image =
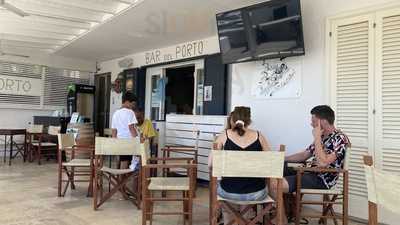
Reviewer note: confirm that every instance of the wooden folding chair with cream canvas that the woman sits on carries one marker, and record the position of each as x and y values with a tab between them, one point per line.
256	164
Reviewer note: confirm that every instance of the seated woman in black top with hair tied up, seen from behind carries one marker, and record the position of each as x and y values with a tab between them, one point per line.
241	138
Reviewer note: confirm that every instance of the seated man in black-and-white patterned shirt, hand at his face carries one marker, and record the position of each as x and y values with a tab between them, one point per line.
327	150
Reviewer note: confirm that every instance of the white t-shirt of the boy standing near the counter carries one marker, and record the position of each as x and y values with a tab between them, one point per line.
122	118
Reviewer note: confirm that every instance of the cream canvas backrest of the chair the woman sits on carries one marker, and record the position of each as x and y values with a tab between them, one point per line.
262	164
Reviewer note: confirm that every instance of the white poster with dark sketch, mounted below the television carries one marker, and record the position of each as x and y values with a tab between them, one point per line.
276	79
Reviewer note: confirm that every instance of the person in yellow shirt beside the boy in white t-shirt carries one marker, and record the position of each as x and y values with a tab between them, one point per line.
146	129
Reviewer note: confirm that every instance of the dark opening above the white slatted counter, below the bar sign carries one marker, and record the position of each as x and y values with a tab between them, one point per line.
179	90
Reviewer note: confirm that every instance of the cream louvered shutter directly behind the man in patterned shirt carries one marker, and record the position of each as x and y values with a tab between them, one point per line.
351	73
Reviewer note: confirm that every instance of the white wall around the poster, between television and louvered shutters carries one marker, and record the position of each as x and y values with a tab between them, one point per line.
287	121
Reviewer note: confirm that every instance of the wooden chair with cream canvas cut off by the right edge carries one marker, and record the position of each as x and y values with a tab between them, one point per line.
383	190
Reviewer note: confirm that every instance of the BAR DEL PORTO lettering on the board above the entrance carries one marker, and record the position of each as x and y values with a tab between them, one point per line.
187	50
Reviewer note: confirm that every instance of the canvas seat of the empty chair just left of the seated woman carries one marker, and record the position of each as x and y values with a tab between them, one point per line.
169	183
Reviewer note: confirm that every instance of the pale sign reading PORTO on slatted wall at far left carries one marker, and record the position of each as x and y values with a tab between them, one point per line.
10	85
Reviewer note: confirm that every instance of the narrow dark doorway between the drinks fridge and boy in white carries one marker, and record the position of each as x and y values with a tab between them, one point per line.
102	102
